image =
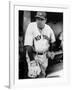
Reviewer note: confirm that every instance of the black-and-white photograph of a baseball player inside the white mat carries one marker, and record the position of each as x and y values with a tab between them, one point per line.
40	44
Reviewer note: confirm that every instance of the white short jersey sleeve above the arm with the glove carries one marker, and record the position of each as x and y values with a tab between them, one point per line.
28	36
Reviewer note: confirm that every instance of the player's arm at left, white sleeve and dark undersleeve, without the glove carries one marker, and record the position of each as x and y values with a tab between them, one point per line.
29	42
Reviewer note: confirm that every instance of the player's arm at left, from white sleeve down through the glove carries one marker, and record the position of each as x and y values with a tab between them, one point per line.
33	68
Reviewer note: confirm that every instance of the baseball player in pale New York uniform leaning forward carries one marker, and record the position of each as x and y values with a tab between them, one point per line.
37	38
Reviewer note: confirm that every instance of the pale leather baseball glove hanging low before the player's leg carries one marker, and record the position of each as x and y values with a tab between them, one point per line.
33	69
